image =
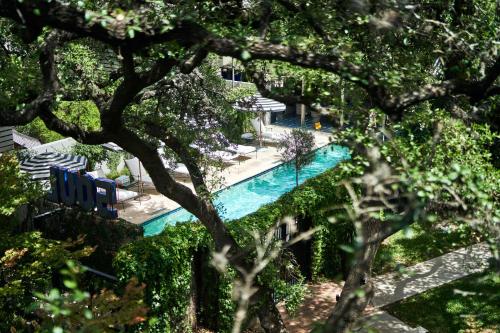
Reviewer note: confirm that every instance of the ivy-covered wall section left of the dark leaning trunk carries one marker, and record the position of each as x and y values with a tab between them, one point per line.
166	264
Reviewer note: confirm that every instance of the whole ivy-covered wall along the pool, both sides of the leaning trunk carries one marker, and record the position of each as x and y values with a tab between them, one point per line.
167	262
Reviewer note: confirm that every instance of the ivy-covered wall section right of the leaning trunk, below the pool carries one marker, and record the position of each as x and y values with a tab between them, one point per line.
319	199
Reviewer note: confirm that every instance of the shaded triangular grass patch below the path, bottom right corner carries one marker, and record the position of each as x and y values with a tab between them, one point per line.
468	305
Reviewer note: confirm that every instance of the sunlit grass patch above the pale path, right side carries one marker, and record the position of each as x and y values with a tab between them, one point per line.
417	244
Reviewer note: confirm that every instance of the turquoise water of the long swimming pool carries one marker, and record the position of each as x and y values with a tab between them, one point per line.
249	195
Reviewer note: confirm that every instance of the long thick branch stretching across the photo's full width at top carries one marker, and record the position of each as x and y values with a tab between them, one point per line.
188	34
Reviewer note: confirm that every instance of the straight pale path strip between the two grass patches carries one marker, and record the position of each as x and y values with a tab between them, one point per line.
393	287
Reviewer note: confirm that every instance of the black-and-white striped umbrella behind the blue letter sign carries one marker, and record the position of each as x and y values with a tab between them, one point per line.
38	166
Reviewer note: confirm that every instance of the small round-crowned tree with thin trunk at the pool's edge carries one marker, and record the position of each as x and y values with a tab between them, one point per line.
296	146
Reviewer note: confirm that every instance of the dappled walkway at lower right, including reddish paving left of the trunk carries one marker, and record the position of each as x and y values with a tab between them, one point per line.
390	288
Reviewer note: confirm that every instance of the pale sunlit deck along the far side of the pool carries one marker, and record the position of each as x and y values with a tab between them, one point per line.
153	203
